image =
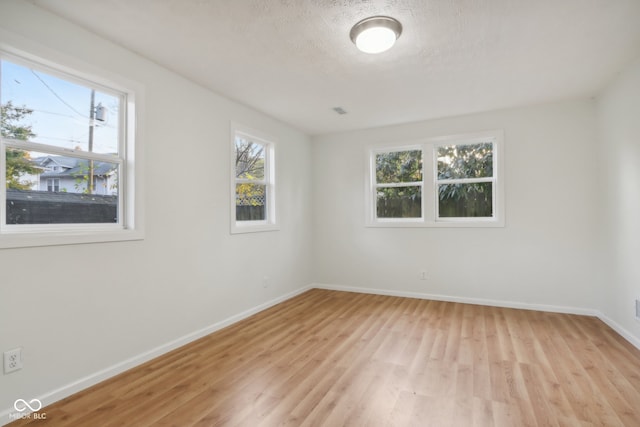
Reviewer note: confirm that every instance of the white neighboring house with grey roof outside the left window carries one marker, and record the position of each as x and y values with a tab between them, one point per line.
68	174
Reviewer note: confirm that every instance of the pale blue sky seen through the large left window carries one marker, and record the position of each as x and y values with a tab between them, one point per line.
61	108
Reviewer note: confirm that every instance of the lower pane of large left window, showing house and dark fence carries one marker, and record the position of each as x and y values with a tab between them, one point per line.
39	194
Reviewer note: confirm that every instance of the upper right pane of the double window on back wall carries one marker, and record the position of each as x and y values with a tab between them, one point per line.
465	161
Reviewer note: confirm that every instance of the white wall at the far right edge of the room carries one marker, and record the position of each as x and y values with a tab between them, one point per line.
619	120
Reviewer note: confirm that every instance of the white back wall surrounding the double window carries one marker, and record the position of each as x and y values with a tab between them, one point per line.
546	255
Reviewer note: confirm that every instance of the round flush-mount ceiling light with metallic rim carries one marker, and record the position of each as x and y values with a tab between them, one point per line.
376	34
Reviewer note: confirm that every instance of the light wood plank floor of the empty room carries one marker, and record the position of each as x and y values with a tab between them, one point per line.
328	358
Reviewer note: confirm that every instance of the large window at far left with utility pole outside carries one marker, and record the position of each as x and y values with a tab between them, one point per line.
67	157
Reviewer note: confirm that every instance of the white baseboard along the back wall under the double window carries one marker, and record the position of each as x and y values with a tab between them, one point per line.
465	300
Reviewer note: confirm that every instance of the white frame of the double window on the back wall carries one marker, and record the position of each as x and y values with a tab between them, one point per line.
430	182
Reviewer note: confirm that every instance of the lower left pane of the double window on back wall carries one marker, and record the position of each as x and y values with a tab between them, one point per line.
399	202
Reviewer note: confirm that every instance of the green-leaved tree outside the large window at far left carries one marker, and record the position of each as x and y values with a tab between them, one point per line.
17	161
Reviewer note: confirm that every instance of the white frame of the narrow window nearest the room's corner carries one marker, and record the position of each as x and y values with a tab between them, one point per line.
270	222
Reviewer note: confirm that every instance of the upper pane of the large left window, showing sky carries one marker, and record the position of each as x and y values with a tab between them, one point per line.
43	108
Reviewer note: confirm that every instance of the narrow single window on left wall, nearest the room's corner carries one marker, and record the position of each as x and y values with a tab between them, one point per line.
253	182
